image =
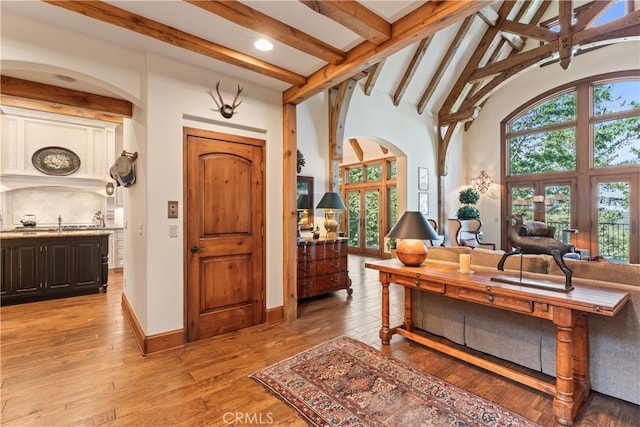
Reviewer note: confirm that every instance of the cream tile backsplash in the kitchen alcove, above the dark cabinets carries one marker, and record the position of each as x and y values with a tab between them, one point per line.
46	203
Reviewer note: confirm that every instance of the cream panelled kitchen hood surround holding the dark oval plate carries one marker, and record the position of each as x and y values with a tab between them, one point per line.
40	148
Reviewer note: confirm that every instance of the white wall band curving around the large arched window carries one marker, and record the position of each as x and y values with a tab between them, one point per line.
482	141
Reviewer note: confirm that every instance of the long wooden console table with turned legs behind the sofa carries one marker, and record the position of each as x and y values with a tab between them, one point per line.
568	311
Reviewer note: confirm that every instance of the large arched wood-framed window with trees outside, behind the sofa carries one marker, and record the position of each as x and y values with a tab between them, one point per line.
572	159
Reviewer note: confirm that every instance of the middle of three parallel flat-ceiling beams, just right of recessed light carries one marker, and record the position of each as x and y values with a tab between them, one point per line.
257	21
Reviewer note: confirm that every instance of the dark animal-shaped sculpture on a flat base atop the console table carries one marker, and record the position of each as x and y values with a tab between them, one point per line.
535	237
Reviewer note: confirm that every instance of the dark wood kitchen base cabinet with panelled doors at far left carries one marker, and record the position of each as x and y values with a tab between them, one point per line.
44	267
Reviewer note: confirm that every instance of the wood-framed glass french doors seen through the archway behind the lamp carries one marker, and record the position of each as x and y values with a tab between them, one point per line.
363	221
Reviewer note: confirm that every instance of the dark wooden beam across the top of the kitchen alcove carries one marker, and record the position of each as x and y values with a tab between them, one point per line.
55	97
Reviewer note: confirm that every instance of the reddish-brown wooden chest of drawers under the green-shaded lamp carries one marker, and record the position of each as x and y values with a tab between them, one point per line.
322	267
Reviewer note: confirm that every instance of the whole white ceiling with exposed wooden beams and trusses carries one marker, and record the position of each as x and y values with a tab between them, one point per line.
446	57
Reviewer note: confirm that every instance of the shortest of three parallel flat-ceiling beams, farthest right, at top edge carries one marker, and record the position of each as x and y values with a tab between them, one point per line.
354	16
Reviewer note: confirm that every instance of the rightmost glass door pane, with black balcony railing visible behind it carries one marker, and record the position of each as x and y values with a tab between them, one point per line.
615	213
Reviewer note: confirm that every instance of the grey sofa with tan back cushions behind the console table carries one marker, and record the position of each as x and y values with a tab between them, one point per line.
614	342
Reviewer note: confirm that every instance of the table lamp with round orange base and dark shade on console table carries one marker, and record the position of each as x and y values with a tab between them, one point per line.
411	230
